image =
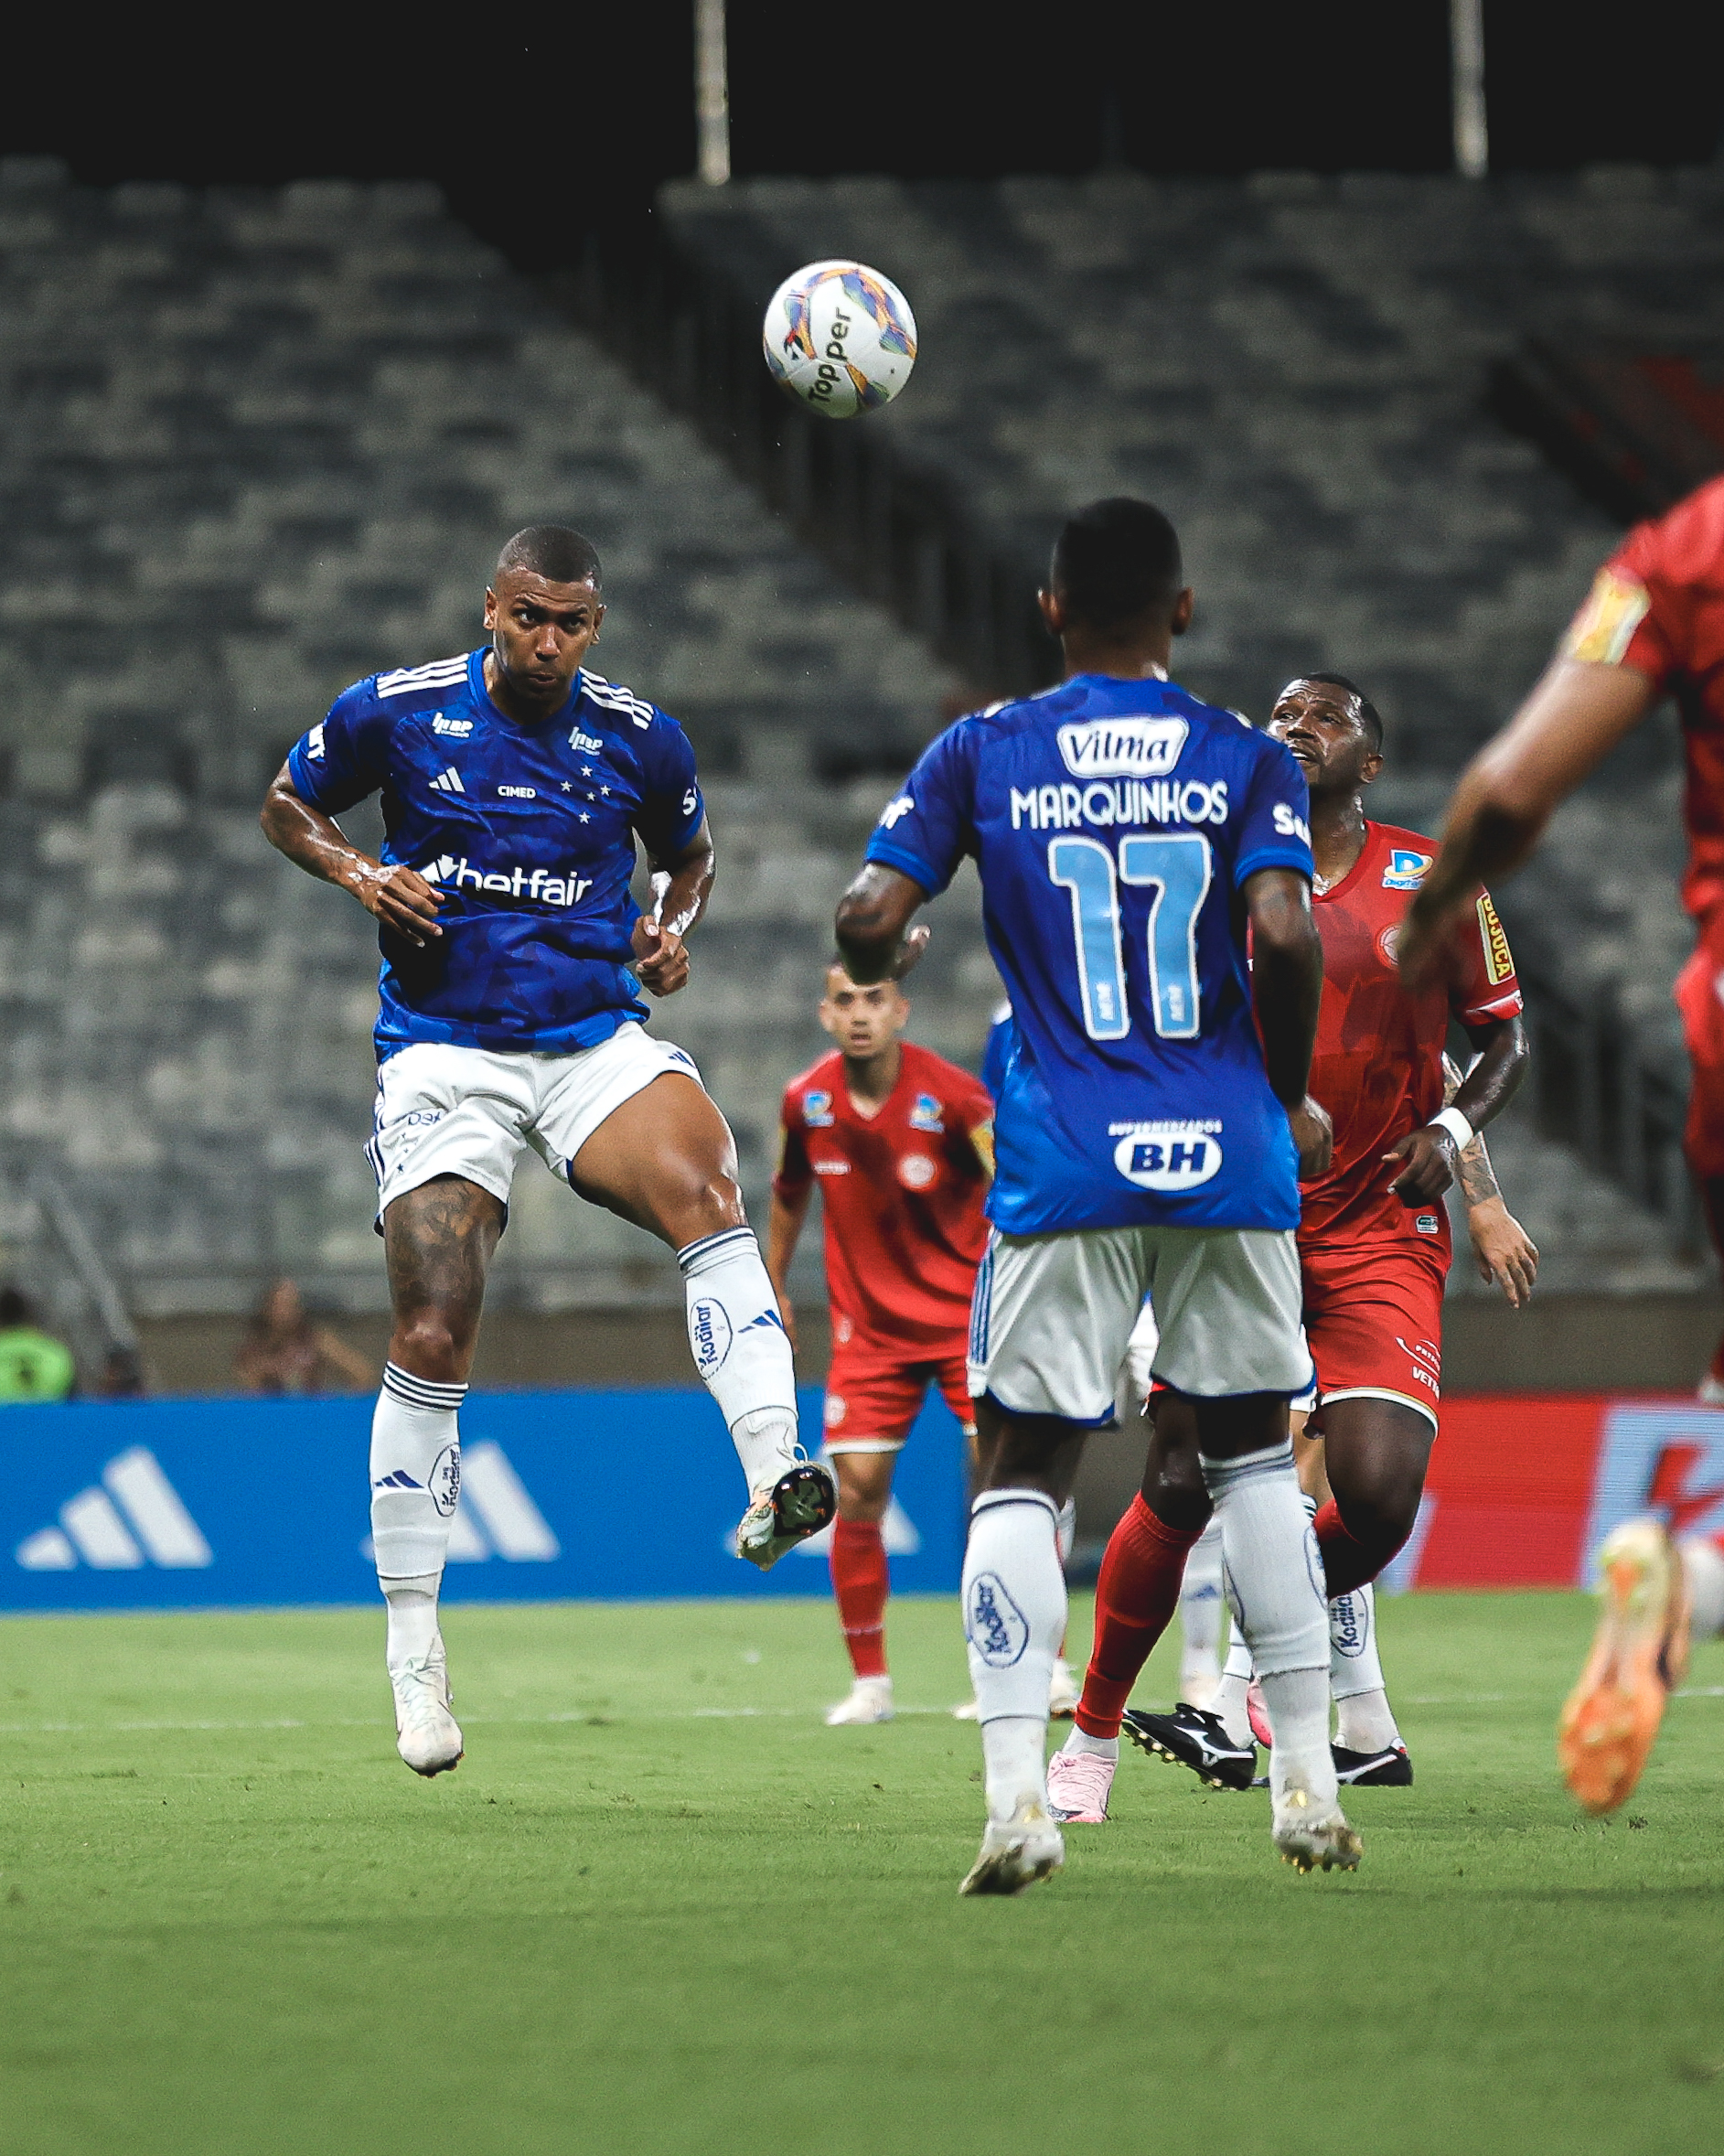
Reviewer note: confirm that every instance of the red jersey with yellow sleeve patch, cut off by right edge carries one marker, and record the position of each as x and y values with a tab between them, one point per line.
1658	605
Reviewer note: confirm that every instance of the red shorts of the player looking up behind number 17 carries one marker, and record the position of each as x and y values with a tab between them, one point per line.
1374	1321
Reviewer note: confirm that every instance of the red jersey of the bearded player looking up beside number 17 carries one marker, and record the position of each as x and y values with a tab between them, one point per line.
1378	1064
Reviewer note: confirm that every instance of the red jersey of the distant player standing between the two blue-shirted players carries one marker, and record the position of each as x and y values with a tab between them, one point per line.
904	1196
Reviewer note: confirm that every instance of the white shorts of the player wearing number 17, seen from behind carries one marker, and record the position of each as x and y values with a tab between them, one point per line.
1055	1314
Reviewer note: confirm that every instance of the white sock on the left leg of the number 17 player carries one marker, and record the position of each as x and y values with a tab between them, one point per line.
1014	1620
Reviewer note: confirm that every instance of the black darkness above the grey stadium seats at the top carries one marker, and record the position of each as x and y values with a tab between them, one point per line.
538	126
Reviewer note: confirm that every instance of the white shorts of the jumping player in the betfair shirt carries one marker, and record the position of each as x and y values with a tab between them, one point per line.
471	1111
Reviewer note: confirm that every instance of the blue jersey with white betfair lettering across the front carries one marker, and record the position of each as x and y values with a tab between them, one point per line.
527	831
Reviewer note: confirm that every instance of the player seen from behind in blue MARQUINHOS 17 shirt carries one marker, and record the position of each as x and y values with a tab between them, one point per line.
1152	1129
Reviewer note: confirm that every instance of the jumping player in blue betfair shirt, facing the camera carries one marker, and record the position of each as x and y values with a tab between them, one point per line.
516	784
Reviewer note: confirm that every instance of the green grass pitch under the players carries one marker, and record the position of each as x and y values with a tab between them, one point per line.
663	1909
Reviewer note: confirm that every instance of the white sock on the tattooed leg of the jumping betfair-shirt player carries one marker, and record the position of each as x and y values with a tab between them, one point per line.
415	1489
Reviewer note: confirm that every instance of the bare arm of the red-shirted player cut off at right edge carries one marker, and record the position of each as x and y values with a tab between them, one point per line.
1579	713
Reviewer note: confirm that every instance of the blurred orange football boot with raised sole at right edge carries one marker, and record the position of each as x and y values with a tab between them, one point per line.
1639	1659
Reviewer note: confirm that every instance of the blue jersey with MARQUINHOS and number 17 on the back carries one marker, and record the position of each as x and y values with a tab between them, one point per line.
1113	825
